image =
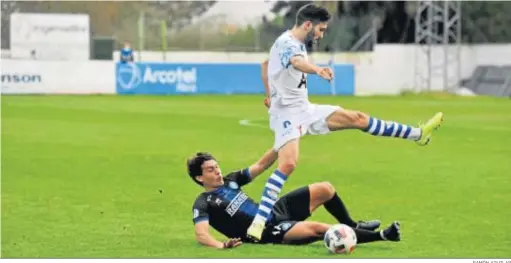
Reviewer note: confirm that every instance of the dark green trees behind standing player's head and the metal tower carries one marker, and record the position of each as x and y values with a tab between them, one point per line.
482	21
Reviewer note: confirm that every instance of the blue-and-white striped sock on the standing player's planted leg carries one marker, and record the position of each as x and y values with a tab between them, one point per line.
270	195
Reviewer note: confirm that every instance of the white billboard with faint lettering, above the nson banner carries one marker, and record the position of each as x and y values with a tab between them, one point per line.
50	36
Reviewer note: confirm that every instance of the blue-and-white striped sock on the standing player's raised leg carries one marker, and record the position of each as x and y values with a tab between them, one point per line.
392	129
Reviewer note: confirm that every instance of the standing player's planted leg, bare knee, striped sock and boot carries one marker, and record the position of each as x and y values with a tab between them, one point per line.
288	156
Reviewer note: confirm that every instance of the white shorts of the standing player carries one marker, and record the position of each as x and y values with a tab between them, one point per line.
292	126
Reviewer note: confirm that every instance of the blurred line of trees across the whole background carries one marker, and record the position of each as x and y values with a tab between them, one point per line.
482	22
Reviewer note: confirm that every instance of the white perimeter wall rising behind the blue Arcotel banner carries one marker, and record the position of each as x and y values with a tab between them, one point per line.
388	70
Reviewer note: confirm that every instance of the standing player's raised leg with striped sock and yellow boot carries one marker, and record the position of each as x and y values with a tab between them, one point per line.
347	119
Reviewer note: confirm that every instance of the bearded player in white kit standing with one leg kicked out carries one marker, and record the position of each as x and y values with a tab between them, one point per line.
293	116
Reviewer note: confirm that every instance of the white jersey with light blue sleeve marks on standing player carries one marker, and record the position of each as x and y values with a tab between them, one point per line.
288	86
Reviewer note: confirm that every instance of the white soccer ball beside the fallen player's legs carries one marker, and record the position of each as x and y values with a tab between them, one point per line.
340	239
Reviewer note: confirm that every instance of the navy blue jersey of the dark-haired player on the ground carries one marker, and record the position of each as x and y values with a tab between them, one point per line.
229	210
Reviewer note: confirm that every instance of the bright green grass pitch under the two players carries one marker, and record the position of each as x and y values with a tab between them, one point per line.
104	176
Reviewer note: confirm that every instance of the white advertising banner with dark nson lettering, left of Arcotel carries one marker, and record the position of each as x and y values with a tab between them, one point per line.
57	77
